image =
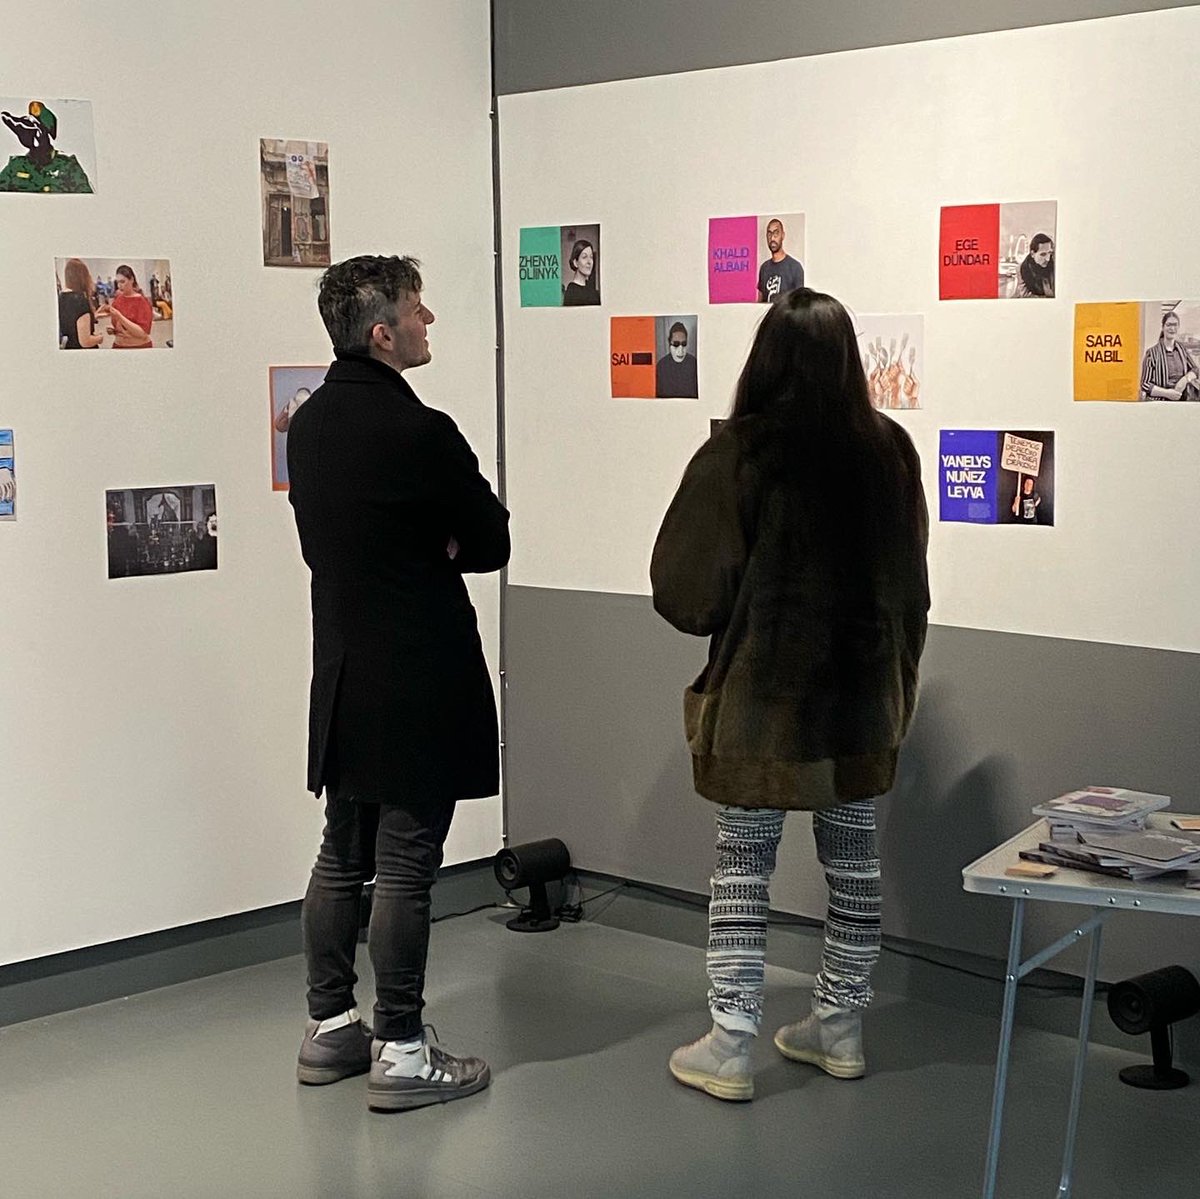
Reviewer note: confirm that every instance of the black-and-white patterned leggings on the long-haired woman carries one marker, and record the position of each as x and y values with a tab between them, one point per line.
747	841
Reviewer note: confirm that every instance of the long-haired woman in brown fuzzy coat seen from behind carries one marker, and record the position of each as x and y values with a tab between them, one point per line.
797	544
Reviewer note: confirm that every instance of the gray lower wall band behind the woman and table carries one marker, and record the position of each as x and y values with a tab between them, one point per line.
596	756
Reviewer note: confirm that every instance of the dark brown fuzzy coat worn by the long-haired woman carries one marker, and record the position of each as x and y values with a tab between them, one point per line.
812	584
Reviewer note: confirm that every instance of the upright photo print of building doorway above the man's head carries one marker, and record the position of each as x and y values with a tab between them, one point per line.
296	202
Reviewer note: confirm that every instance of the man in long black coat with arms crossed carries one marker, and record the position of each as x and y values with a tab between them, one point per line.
392	512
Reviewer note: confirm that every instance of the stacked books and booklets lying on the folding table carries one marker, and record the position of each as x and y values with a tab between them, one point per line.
1105	830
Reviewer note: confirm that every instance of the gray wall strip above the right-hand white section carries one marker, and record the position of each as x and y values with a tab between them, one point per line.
559	44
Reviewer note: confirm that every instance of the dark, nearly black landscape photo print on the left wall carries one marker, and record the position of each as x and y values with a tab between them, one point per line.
161	531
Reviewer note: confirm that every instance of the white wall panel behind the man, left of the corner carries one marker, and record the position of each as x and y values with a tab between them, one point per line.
154	729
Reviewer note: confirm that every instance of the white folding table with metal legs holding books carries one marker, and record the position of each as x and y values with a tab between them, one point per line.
1105	895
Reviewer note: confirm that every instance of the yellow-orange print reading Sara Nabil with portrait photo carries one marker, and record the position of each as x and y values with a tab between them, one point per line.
1138	352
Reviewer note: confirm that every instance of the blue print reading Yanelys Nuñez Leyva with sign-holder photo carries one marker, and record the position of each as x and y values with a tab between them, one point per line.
997	478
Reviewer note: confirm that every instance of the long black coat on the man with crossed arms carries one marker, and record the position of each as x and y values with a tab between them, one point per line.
401	706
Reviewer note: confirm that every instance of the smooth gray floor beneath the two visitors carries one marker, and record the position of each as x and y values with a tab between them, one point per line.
190	1092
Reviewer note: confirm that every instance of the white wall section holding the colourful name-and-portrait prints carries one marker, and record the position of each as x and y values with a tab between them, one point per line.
869	146
